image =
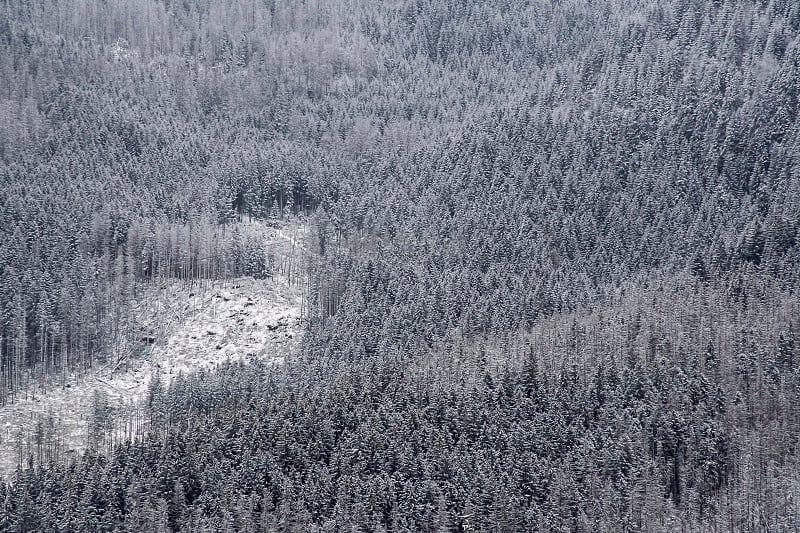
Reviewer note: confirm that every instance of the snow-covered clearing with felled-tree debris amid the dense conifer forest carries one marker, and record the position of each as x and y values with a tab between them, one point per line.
178	328
